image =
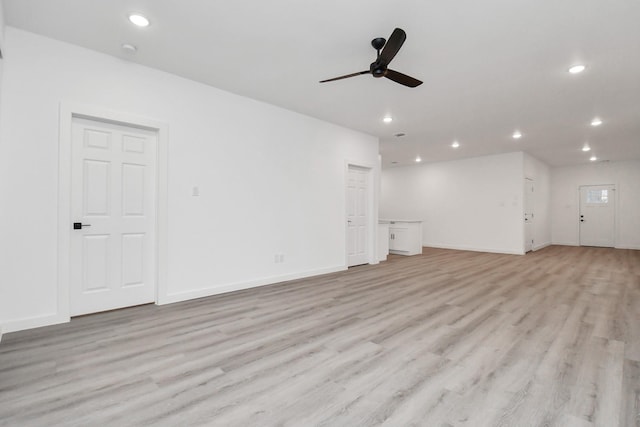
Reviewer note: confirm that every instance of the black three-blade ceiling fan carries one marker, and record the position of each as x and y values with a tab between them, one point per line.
387	50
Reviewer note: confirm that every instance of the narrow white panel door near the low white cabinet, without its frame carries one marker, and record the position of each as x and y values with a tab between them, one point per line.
357	216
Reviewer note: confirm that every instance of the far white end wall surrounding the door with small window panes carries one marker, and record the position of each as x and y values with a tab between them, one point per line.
565	200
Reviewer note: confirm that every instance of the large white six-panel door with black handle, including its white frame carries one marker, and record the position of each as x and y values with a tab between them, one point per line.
112	210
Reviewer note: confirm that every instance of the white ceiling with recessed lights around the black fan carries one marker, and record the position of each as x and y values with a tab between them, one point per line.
489	67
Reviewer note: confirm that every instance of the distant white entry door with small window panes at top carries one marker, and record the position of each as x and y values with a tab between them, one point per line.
597	215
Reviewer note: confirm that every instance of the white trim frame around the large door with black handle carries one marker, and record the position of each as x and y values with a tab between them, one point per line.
69	111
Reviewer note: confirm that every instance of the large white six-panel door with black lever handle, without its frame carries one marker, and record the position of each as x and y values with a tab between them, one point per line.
113	206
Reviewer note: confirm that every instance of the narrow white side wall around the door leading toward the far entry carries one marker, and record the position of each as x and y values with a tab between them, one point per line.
540	173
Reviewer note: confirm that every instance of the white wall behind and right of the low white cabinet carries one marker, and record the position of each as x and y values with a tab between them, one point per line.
472	204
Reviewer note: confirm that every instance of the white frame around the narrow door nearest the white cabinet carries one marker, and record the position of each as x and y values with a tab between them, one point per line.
372	205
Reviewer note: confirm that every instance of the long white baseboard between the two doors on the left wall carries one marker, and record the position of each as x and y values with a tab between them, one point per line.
238	286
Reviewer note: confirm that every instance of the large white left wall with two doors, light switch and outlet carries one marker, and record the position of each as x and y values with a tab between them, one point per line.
271	181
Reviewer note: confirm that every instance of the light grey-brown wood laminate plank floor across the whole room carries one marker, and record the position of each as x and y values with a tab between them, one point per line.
447	338
